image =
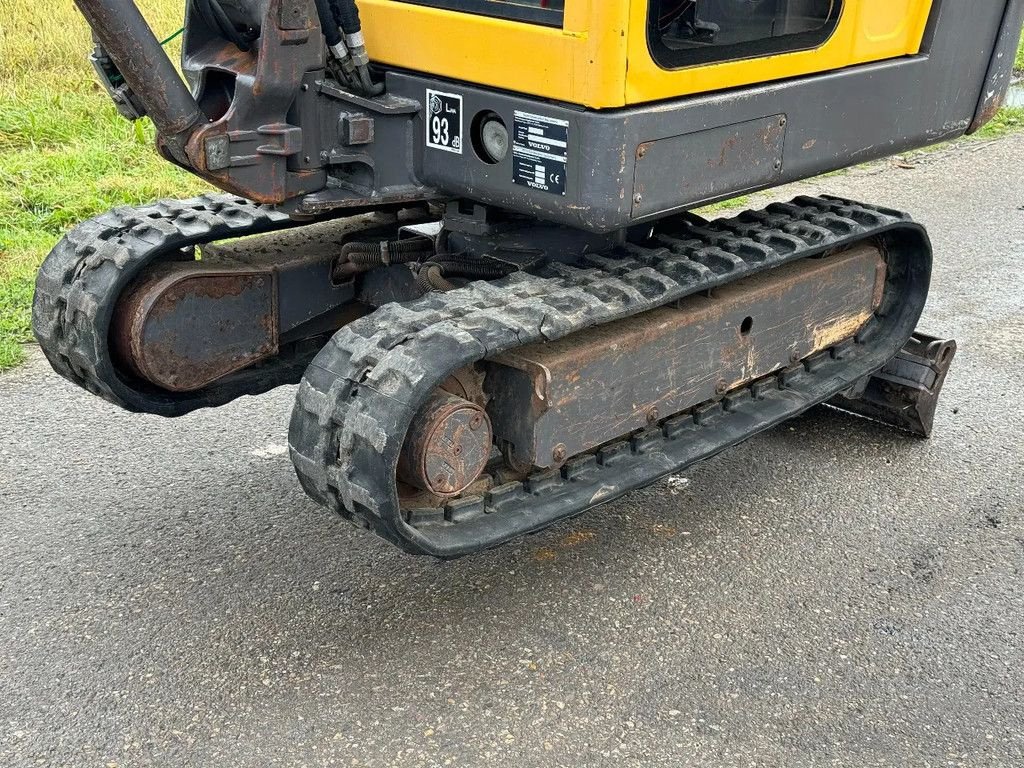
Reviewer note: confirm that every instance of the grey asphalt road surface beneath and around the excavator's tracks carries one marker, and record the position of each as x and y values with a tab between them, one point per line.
828	593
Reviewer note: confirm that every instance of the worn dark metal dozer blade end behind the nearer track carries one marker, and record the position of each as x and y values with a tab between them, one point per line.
906	393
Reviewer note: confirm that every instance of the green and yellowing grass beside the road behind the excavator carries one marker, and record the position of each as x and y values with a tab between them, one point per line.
66	155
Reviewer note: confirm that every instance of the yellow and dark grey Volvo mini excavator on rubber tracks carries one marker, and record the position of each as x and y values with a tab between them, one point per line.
467	231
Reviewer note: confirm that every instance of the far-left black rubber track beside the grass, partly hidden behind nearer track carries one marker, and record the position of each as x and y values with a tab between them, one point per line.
81	280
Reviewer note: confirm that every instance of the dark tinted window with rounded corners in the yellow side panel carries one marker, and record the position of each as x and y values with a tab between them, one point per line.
685	33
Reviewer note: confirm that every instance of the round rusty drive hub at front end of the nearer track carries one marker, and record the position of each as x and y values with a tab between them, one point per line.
448	446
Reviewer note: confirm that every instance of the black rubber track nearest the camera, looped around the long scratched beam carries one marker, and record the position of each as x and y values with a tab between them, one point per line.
361	393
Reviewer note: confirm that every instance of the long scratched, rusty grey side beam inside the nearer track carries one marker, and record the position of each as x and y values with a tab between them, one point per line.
562	399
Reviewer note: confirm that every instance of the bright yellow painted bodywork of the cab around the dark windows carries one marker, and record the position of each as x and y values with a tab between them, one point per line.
601	58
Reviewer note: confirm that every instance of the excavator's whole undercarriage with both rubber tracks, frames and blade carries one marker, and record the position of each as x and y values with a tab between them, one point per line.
467	379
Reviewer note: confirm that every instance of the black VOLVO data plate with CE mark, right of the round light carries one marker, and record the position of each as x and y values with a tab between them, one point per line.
540	152
